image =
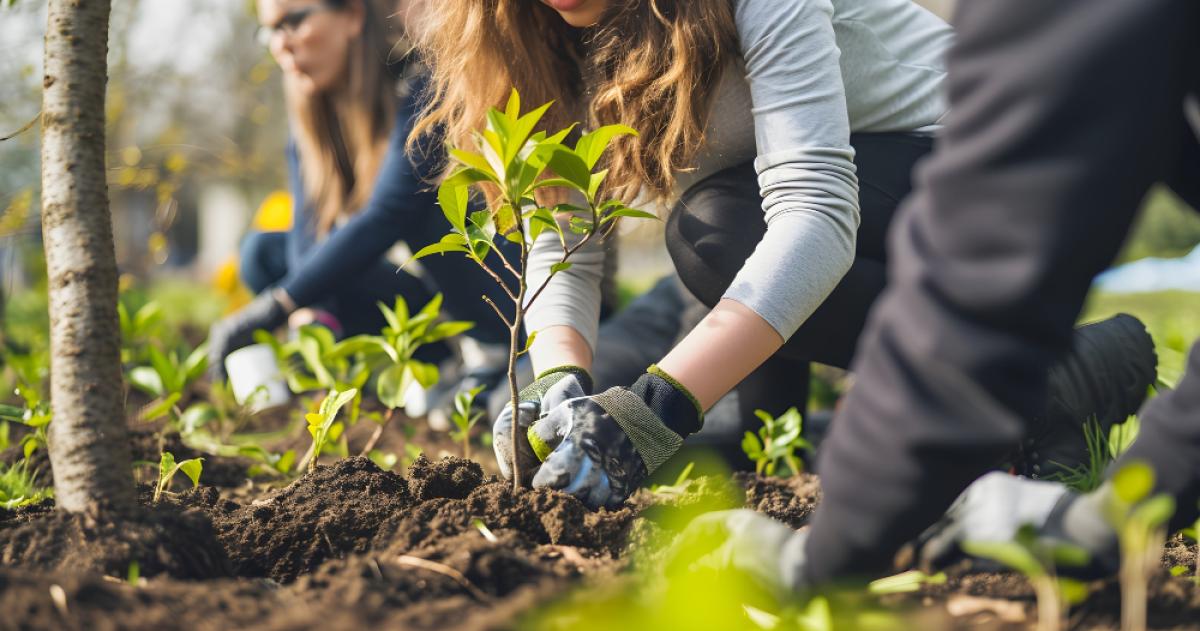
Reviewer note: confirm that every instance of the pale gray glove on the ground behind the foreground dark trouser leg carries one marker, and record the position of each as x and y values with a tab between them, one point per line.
995	507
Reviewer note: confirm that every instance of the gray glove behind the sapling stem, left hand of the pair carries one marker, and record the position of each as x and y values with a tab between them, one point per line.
550	389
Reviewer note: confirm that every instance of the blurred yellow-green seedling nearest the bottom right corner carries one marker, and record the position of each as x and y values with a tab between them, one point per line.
1141	522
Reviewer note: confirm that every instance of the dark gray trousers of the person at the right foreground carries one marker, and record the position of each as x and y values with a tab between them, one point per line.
1063	116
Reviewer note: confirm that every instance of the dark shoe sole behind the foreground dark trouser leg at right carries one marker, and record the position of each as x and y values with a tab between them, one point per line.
1106	378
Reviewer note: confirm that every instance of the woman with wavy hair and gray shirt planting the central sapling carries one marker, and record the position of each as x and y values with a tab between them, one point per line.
782	136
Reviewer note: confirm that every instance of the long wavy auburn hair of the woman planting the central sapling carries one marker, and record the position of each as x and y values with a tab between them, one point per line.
649	64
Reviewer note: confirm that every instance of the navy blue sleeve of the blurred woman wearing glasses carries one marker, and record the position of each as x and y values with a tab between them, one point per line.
401	201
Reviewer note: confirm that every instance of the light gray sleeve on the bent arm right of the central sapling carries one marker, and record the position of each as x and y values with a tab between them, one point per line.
806	164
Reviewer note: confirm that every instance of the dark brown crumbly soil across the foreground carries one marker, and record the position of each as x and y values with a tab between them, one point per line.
445	546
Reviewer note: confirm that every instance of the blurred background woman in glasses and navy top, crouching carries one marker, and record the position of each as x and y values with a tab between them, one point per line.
352	95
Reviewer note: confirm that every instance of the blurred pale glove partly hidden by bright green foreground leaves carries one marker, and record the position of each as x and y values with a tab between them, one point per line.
747	543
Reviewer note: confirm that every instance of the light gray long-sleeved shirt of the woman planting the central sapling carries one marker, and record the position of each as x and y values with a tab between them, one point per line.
811	73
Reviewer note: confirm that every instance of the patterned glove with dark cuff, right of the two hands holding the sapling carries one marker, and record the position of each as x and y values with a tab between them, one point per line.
602	448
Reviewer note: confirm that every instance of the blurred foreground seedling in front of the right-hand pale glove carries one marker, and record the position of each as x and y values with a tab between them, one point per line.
1039	560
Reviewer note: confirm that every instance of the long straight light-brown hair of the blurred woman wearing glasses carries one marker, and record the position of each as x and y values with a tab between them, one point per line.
343	135
